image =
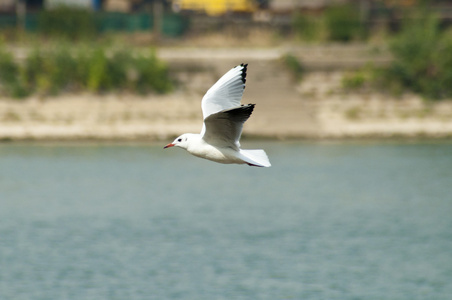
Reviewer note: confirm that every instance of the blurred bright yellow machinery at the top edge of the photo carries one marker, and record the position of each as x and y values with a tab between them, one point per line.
215	7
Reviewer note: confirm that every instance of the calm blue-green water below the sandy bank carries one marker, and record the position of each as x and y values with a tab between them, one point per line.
327	221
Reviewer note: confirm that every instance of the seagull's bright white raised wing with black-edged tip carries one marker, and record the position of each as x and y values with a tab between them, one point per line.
226	93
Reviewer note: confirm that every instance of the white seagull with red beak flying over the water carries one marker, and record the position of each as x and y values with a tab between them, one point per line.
224	116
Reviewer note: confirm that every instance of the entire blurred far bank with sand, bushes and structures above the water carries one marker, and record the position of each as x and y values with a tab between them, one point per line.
335	68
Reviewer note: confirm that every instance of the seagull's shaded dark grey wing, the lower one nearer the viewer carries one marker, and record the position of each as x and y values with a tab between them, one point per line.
224	128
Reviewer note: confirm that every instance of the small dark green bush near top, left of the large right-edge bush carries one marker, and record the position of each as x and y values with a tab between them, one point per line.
343	23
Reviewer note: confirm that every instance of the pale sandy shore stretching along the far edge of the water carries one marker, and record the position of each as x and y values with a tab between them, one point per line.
317	107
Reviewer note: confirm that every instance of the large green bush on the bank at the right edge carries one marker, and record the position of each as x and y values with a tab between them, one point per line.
422	57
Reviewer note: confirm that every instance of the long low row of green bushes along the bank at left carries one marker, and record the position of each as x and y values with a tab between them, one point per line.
51	71
